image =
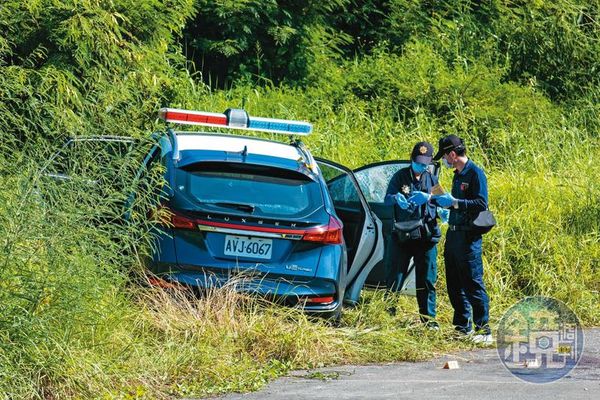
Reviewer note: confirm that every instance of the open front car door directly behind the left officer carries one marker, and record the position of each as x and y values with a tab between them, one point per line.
373	180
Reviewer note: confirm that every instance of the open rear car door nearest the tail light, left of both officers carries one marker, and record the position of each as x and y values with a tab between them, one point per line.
362	228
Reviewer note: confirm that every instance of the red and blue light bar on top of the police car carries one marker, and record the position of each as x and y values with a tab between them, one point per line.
235	119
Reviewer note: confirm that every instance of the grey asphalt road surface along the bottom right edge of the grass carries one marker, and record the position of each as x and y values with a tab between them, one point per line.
481	375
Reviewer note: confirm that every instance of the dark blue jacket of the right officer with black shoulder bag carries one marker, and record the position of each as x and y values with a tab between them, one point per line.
469	186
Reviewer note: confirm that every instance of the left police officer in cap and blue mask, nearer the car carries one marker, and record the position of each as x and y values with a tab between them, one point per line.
409	191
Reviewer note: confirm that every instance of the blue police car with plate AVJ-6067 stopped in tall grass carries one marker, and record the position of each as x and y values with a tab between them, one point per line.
261	214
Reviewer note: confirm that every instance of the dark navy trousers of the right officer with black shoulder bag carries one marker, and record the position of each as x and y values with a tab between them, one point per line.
464	279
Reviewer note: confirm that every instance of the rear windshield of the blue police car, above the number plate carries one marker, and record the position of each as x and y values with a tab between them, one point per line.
251	189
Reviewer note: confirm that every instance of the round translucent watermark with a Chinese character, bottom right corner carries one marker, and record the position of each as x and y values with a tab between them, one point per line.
539	339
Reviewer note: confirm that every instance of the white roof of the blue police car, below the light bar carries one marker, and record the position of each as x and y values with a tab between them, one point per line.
231	143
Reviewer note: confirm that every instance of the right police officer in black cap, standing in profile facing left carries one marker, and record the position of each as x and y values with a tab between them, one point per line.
462	251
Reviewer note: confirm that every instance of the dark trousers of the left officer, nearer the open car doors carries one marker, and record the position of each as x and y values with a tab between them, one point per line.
425	259
